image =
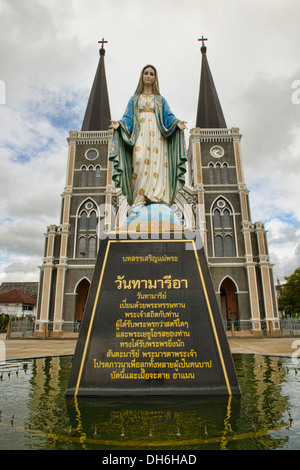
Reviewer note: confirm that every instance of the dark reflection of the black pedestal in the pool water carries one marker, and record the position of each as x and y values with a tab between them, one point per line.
172	422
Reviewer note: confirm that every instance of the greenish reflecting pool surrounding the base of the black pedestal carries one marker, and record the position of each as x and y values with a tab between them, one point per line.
35	414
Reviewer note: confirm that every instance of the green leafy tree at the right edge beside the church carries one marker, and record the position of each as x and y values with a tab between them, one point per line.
289	295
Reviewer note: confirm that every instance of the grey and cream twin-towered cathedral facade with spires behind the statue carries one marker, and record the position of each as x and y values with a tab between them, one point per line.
214	202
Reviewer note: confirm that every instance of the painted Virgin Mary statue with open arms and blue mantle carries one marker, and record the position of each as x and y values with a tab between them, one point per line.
148	147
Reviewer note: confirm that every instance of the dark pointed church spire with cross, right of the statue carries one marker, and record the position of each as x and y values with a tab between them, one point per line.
209	112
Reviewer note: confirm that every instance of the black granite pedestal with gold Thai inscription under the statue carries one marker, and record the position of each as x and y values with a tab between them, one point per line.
152	324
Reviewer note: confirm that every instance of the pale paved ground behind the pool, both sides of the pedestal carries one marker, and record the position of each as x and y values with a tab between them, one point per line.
30	348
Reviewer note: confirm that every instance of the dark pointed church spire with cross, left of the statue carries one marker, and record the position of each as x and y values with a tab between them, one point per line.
97	116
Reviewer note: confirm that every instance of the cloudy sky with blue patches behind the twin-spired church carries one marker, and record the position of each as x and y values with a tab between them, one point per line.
48	59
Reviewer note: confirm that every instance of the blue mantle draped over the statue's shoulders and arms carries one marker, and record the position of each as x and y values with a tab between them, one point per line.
125	137
